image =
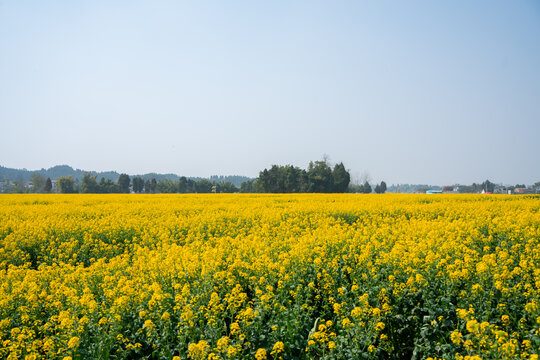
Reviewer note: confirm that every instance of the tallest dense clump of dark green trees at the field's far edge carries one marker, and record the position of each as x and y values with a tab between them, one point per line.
319	177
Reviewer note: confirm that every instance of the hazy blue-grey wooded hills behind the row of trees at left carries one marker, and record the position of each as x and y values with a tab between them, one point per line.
77	174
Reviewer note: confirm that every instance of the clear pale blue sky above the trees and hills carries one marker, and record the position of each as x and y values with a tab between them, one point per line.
408	92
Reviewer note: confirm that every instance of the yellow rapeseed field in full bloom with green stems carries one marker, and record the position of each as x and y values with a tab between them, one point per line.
269	276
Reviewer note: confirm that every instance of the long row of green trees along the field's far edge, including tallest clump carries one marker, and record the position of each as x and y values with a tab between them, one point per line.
319	177
